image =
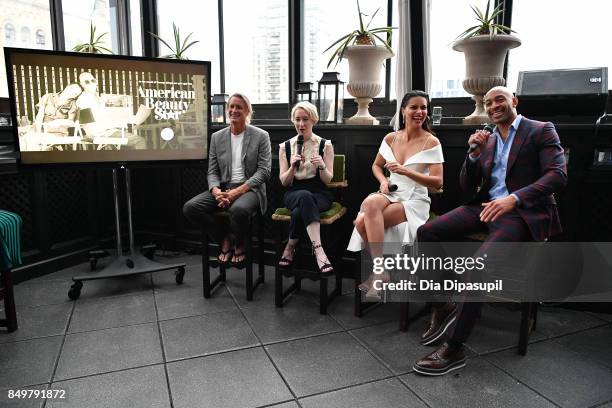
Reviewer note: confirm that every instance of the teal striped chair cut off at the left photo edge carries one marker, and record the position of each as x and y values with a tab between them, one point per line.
10	257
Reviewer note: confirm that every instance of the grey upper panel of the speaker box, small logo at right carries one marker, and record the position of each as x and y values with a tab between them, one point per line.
580	81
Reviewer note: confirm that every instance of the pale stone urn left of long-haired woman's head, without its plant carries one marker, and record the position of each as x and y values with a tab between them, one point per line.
365	65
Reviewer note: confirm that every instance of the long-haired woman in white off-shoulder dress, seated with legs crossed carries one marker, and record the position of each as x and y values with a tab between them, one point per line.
413	156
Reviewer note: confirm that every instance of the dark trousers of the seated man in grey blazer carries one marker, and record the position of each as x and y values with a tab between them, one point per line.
201	209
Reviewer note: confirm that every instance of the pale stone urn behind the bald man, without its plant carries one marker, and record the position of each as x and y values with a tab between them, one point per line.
484	67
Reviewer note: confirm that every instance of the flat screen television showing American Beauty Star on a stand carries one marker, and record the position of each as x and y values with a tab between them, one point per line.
90	108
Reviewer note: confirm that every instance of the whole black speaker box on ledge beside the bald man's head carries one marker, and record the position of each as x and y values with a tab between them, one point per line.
563	95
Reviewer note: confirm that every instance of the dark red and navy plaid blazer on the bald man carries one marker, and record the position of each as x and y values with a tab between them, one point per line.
536	169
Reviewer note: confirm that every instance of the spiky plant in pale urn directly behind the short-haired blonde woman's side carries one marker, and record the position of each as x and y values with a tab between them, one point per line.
365	62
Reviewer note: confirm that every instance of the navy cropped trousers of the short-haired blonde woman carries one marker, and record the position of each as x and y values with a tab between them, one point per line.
305	207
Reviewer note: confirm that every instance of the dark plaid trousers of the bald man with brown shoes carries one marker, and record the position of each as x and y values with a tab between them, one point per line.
463	221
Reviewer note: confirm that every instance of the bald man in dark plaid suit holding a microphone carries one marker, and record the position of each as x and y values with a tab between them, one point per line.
513	173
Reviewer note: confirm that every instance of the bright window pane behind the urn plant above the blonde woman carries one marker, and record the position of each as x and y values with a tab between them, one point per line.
326	21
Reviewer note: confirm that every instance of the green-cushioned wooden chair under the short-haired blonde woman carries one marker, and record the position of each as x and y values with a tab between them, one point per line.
302	270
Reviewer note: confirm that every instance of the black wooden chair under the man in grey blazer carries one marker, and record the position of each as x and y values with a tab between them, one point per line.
250	285
